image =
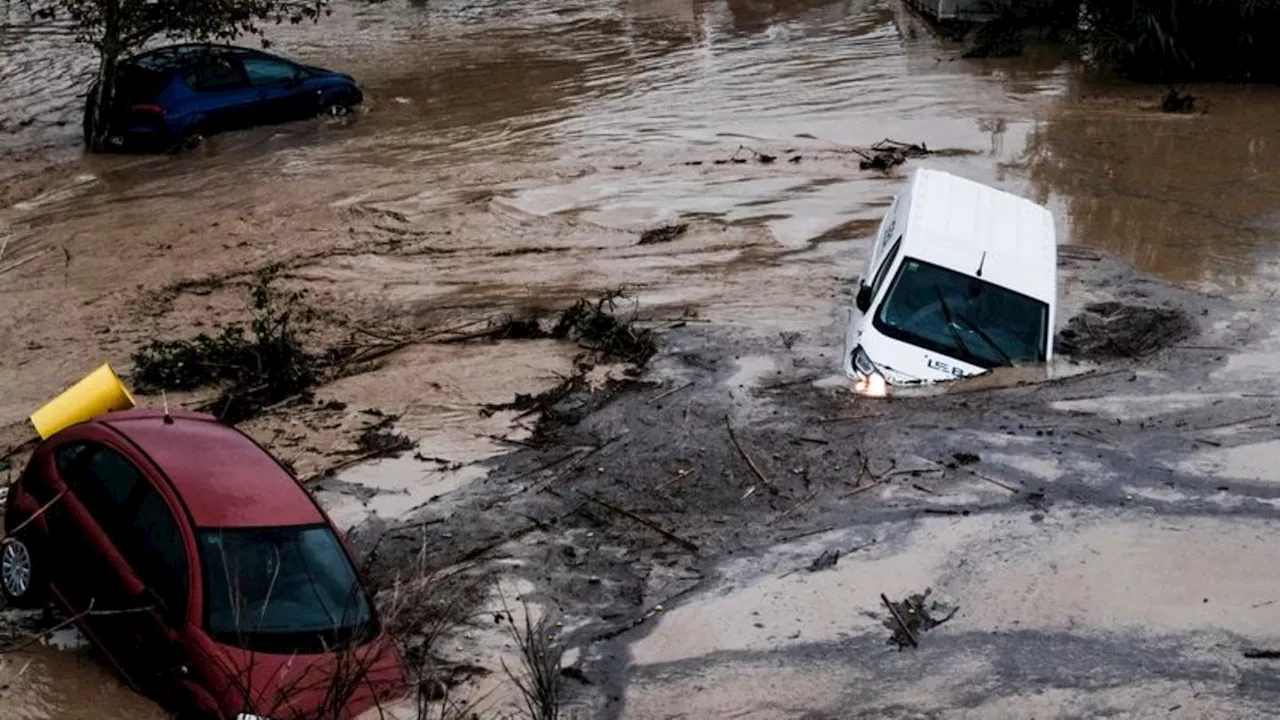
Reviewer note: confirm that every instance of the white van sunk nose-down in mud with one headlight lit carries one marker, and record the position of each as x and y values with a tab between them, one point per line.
962	279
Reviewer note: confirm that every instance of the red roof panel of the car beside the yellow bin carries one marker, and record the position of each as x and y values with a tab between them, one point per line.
223	477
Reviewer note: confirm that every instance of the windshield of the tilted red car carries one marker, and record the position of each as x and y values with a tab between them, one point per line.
282	590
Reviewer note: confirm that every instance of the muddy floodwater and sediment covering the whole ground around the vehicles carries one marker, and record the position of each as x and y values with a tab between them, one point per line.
513	163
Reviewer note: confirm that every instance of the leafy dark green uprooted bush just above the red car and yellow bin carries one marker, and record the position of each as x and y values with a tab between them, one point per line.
255	367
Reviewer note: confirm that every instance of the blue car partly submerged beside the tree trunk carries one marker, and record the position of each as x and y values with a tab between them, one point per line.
173	98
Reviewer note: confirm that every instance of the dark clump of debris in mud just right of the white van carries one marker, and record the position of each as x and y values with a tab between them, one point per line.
1113	331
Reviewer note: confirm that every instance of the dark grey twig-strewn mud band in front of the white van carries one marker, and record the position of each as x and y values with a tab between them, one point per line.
609	577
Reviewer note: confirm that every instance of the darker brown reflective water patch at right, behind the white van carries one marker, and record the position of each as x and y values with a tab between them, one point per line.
1191	198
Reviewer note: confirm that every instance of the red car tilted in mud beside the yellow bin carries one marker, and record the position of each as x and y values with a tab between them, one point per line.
200	567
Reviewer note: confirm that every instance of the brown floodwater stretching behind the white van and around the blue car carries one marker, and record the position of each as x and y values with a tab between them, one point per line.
519	147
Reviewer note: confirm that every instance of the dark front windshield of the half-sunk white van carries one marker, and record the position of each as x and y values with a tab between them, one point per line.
963	317
